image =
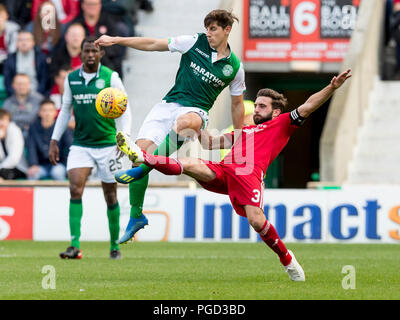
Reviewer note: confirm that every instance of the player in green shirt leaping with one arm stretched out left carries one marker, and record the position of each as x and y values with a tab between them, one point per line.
207	67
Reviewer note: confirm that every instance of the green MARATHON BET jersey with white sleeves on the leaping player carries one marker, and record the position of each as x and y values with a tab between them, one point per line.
201	77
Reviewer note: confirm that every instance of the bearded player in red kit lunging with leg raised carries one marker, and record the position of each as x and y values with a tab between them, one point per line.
240	174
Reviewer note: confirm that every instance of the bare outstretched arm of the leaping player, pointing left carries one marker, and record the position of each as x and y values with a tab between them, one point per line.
138	43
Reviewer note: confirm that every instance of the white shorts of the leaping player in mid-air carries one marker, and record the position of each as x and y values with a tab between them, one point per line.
161	119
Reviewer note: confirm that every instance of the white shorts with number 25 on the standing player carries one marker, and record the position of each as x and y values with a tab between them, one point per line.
103	159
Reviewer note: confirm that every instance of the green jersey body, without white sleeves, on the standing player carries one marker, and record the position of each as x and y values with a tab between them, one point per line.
91	129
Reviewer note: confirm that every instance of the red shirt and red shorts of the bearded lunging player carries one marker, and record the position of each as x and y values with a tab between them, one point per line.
241	173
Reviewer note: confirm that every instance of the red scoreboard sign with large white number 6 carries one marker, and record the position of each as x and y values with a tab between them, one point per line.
287	30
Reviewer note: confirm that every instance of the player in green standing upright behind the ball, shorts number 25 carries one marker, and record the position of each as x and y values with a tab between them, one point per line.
93	144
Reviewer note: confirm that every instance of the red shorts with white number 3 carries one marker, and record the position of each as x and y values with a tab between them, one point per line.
243	189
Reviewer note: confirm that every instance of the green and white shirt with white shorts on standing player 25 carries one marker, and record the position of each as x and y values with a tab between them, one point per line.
94	135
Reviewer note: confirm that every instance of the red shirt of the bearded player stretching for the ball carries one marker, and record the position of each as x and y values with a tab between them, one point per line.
259	145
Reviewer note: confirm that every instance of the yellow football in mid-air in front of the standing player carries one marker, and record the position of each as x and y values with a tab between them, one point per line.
111	103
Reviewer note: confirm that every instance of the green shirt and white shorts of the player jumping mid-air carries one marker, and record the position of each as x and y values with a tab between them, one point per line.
199	81
